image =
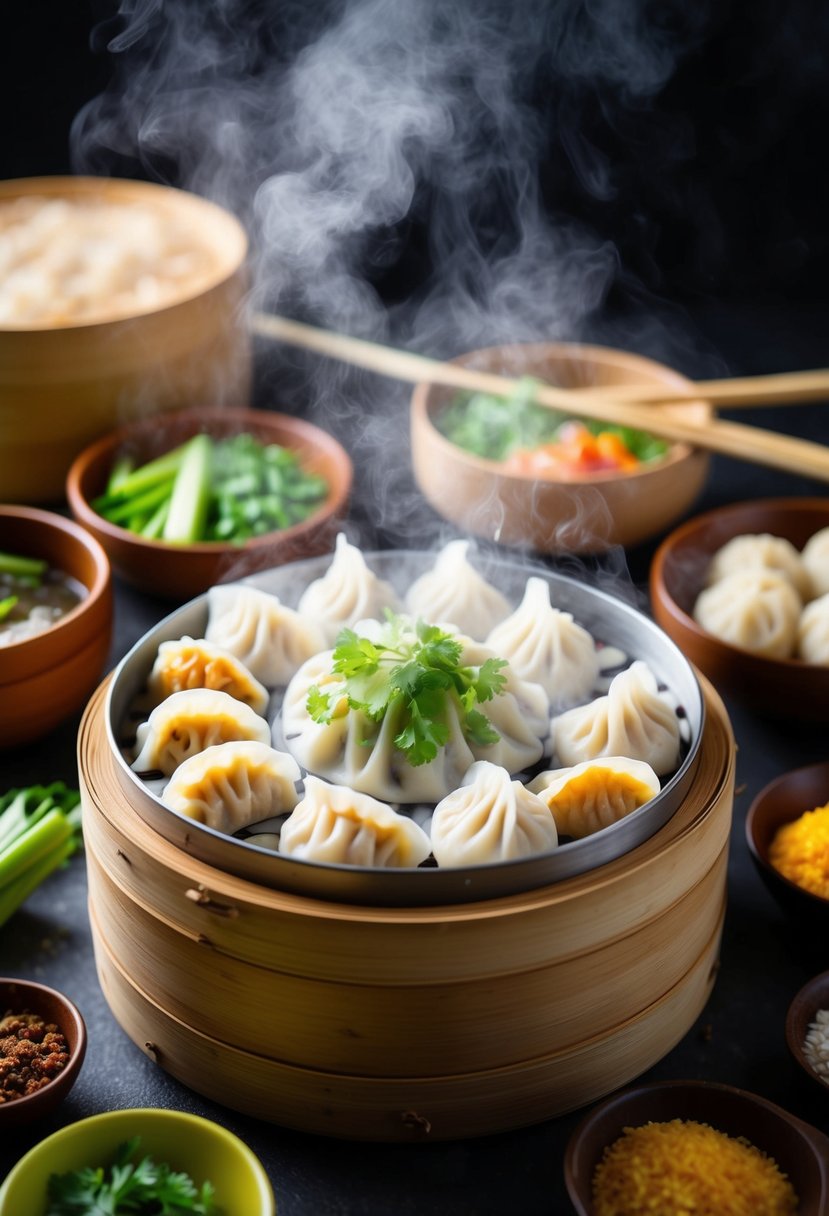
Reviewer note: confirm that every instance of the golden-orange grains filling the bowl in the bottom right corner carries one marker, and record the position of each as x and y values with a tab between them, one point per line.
691	1169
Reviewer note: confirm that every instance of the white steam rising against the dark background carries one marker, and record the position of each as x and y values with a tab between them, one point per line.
374	144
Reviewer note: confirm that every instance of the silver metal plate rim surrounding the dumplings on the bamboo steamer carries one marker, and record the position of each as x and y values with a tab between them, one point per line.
608	620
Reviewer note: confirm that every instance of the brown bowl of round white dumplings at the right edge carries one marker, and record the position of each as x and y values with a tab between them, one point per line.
745	592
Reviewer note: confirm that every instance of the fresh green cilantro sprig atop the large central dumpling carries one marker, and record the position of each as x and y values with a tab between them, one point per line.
414	673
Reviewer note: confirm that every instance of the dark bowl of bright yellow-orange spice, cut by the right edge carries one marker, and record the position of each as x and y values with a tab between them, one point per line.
787	831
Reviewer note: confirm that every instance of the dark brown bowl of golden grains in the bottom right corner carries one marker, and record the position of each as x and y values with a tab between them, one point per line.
696	1147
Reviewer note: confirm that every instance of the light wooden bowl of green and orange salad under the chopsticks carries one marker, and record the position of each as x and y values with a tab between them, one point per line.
526	476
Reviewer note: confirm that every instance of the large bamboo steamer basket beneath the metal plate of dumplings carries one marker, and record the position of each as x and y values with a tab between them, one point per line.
404	1023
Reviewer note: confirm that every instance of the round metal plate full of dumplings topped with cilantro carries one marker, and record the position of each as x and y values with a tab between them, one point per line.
407	728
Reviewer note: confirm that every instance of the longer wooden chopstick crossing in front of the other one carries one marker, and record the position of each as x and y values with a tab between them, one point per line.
728	438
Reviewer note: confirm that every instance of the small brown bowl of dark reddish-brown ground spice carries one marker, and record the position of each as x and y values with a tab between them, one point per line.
43	1042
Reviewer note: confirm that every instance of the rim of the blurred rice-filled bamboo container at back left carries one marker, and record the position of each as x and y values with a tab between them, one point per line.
64	185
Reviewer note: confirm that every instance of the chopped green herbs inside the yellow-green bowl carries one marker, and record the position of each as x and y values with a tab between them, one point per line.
148	1189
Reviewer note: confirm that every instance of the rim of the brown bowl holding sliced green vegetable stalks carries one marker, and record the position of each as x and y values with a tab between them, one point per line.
322	441
